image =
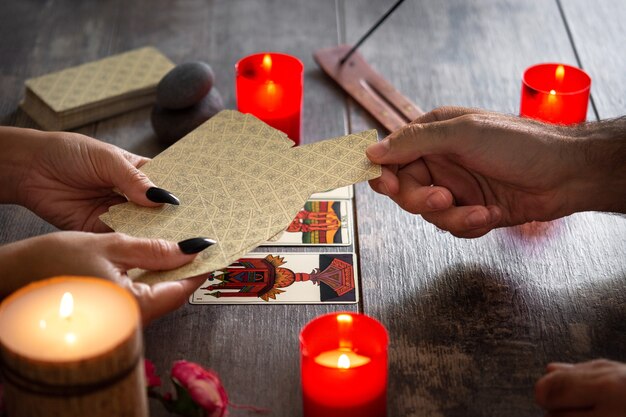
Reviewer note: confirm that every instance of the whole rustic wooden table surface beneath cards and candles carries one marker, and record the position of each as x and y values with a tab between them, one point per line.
472	323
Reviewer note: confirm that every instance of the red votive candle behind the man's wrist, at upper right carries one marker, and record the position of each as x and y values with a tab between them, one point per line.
555	93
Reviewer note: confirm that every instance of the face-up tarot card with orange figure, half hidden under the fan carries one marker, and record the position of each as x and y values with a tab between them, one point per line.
319	223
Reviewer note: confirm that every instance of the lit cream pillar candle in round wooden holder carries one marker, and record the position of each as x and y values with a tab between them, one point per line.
70	345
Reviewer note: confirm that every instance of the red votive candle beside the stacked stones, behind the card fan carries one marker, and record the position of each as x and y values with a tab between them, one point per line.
269	86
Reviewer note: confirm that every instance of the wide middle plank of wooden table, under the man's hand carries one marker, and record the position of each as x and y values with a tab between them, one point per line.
474	322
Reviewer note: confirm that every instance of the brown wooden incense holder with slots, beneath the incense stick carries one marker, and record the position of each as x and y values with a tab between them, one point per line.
367	87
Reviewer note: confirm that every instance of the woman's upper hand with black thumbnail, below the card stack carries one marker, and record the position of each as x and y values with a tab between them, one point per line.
69	179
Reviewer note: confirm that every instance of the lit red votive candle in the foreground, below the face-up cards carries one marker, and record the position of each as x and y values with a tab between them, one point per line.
344	366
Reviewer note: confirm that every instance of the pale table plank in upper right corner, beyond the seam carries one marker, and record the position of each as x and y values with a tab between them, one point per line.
599	34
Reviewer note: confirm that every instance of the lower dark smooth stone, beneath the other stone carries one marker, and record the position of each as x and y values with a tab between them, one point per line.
171	125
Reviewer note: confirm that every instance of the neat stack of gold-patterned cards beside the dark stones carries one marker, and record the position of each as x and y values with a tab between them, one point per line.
96	90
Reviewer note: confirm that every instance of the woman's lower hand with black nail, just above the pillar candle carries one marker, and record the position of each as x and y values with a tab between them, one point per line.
109	256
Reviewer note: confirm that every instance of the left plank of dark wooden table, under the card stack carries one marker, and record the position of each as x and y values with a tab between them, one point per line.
253	348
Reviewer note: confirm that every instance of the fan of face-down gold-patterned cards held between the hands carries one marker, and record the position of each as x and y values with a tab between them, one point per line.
241	183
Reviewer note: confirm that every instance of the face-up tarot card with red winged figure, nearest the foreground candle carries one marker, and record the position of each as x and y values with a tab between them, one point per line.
283	278
